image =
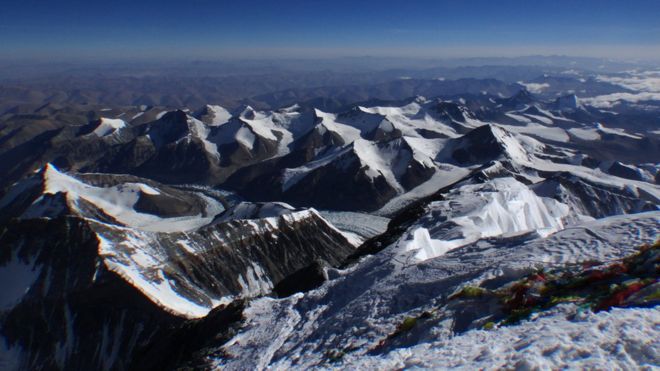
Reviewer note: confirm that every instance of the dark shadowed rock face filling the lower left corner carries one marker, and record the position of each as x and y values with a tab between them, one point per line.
74	314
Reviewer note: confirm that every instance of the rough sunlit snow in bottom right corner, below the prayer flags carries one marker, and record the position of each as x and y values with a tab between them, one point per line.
627	338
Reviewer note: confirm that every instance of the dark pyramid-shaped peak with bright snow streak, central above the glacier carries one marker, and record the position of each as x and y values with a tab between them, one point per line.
361	175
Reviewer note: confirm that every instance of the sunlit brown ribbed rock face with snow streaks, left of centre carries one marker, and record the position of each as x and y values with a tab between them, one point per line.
224	260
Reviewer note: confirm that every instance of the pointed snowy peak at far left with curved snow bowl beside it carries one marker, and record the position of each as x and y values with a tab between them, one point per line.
114	199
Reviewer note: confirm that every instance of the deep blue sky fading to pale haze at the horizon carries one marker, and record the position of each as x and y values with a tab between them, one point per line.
290	28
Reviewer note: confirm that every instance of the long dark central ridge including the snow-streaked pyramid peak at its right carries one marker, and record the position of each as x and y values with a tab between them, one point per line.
349	177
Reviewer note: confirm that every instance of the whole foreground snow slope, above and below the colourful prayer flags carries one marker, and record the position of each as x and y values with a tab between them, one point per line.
362	306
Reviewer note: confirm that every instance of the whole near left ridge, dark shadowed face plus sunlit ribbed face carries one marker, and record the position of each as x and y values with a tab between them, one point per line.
100	303
